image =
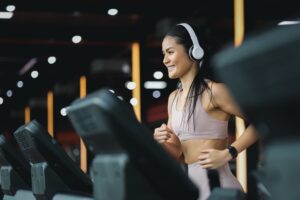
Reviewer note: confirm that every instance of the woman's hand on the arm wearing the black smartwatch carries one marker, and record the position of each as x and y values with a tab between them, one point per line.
213	158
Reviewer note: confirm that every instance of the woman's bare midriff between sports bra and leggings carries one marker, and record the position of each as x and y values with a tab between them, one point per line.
192	148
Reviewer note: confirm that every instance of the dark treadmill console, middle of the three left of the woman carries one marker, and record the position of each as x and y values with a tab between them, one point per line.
52	170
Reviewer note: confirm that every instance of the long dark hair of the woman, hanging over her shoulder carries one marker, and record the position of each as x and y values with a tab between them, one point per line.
199	85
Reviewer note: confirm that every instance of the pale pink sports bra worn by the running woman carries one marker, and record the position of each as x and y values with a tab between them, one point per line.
205	127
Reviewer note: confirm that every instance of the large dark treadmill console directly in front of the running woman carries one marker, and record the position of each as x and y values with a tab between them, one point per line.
129	163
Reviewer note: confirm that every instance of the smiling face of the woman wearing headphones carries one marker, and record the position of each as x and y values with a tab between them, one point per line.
175	59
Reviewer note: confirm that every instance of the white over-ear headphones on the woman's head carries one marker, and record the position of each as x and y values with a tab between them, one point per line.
196	52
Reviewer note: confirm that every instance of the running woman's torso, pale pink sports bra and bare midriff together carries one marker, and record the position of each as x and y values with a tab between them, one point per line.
206	129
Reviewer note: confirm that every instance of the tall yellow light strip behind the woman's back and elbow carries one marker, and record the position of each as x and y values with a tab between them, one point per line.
239	31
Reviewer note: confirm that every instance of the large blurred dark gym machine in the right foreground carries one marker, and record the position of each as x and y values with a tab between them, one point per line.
263	75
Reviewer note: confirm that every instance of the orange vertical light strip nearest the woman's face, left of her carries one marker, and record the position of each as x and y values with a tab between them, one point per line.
136	92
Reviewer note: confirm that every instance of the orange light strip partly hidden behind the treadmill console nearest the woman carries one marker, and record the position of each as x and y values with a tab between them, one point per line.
83	152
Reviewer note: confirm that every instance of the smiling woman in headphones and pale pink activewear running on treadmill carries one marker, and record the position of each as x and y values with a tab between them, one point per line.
198	110
